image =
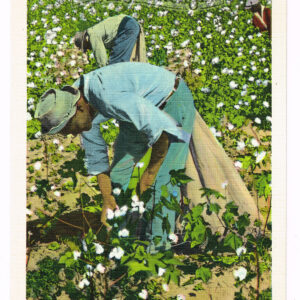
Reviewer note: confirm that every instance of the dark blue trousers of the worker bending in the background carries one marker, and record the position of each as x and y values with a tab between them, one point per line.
125	40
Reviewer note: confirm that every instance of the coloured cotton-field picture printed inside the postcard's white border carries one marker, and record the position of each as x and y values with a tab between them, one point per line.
148	149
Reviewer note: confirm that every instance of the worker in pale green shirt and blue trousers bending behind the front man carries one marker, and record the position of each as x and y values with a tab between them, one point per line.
121	34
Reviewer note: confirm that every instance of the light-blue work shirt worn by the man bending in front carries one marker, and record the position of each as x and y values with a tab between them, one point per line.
131	93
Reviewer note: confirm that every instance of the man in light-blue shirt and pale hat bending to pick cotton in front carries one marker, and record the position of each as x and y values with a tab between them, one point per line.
154	109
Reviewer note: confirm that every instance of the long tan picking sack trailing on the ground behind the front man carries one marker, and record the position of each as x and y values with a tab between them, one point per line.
215	169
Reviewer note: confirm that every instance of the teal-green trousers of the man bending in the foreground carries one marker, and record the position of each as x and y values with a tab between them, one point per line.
181	107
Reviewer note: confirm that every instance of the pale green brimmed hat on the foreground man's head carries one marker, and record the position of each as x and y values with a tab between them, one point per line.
56	107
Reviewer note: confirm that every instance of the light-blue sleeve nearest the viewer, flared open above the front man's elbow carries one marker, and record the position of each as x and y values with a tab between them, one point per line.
146	117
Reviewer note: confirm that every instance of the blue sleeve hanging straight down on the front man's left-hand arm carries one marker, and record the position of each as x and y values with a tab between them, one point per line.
96	157
